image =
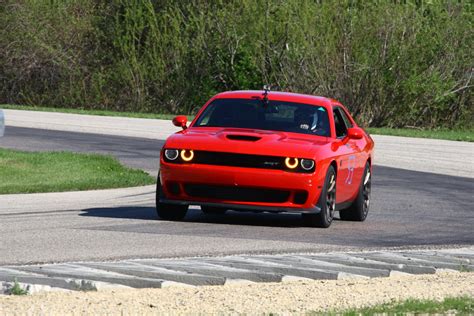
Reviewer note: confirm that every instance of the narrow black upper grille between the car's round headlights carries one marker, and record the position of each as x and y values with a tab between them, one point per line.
239	160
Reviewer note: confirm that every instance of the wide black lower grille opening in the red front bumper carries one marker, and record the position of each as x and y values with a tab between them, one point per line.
241	194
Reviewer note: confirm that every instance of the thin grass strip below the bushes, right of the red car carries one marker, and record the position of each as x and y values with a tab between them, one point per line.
460	135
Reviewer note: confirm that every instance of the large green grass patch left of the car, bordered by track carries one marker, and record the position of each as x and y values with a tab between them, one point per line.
28	172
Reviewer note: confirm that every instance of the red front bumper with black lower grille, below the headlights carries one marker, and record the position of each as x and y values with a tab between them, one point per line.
295	192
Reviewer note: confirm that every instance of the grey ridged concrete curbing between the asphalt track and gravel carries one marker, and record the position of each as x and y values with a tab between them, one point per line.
229	270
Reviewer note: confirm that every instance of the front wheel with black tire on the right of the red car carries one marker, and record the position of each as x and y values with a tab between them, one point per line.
327	202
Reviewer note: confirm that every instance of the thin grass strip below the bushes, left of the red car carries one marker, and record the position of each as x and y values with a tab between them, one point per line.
89	112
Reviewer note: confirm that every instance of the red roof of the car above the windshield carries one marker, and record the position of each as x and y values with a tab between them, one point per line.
278	96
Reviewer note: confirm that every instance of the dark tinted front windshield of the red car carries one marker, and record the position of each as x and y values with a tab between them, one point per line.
276	116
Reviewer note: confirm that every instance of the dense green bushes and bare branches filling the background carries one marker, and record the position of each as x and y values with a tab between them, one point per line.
393	63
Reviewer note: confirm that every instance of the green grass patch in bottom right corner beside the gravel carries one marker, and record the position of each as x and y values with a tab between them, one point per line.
460	305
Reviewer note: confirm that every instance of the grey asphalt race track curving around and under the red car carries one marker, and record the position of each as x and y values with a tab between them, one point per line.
409	209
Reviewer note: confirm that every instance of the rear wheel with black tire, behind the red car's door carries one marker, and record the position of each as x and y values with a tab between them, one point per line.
360	207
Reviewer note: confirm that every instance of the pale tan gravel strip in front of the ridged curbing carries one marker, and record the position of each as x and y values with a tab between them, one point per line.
291	297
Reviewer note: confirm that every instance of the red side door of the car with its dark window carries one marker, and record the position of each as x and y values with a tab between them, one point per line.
349	174
